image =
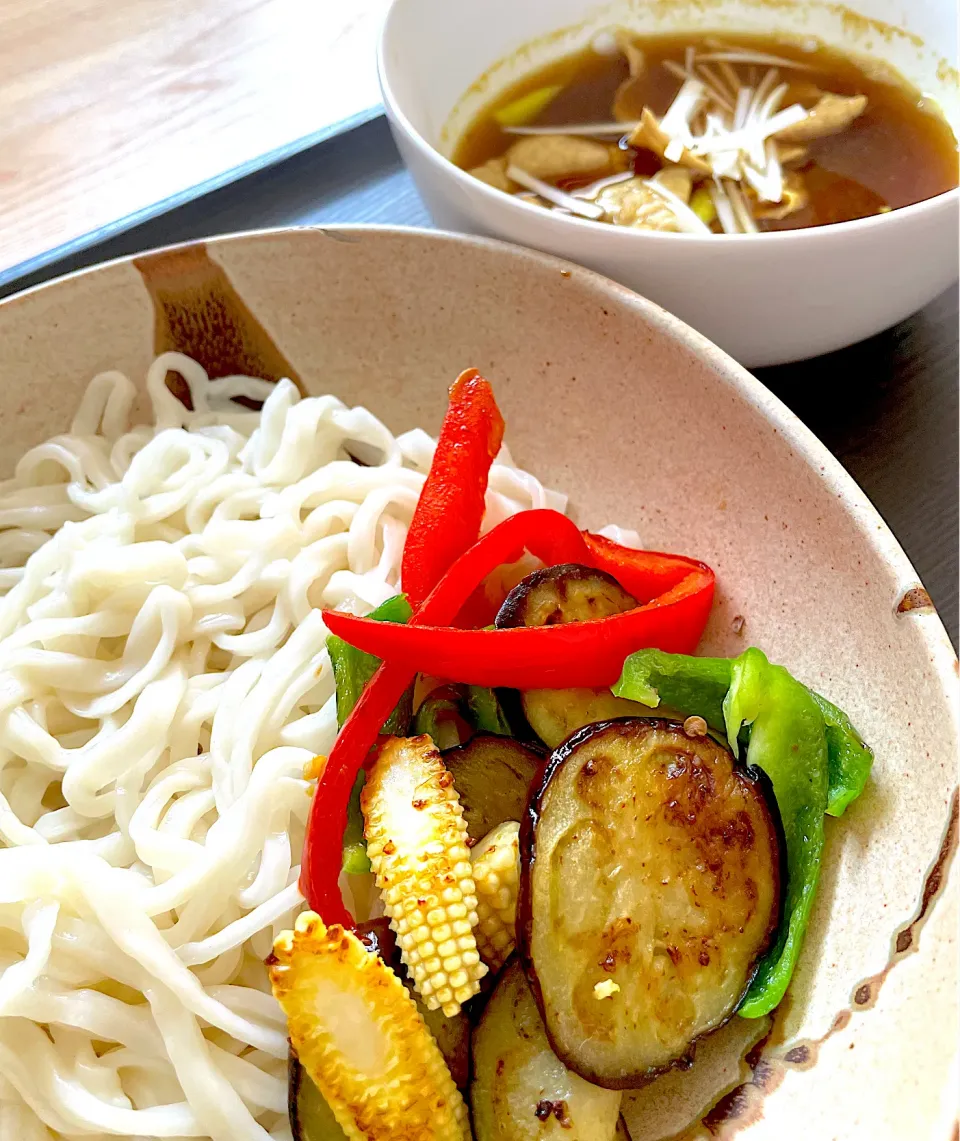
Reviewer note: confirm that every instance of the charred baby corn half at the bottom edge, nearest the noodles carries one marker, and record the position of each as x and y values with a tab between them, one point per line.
359	1035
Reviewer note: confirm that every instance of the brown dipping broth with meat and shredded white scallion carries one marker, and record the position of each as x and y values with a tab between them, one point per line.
838	165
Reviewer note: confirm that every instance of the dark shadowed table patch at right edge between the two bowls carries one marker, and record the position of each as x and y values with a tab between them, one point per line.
872	404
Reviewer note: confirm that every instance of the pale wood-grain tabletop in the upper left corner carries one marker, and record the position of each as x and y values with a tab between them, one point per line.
110	110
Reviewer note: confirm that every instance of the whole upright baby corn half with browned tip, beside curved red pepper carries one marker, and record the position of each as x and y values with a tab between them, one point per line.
417	845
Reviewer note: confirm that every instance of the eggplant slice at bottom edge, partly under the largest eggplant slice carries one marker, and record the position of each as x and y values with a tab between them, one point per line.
521	1090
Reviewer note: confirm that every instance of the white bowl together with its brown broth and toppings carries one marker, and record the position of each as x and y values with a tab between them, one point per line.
782	176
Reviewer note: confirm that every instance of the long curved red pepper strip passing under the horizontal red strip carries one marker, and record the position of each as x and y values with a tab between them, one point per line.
552	538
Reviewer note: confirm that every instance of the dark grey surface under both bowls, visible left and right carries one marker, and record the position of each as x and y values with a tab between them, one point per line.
886	408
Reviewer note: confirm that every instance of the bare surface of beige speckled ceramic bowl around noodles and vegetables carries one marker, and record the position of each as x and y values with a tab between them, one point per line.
642	422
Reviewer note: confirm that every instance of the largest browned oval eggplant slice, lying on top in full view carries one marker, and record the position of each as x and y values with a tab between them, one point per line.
650	888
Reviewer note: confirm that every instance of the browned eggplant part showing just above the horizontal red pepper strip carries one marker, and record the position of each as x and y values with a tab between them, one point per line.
568	593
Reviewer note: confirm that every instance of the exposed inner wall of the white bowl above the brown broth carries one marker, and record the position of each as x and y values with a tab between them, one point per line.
433	51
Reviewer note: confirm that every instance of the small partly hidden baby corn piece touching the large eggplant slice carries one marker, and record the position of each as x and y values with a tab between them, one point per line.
497	869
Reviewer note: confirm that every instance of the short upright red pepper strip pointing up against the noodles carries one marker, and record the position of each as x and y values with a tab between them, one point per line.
450	511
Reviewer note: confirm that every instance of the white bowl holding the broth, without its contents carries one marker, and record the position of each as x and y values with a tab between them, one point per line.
768	298
